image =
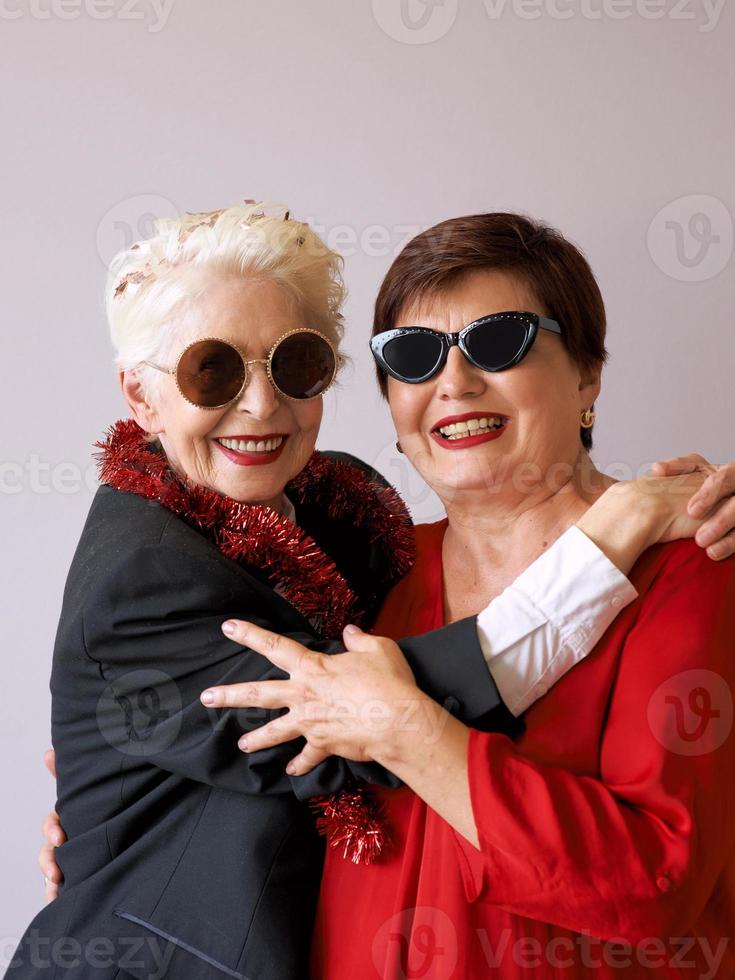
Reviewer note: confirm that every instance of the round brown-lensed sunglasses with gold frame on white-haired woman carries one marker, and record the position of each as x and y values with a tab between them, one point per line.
211	373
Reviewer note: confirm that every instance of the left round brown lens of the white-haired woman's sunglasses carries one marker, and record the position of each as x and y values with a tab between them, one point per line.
210	373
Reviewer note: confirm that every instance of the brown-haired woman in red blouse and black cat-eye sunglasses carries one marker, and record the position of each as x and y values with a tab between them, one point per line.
603	834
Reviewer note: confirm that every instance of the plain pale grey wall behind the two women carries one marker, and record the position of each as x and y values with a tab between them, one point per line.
610	118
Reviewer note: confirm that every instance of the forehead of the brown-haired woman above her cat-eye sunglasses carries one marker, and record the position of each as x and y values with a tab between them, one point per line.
473	295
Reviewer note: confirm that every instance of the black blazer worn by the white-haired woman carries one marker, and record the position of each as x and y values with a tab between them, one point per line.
186	858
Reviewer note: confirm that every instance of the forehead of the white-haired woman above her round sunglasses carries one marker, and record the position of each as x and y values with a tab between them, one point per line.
250	313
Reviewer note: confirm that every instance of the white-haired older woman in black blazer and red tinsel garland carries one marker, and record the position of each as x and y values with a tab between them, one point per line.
185	857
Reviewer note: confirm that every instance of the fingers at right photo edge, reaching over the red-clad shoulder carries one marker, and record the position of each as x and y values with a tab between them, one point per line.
713	502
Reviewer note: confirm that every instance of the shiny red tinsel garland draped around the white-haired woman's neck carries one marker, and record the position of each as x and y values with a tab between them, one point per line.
255	535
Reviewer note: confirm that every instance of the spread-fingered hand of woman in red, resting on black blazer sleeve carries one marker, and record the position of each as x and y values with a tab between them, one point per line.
343	705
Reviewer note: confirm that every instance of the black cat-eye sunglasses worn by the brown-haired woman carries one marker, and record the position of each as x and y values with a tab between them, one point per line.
493	343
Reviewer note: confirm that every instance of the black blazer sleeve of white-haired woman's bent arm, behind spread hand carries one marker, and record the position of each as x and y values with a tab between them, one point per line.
152	623
